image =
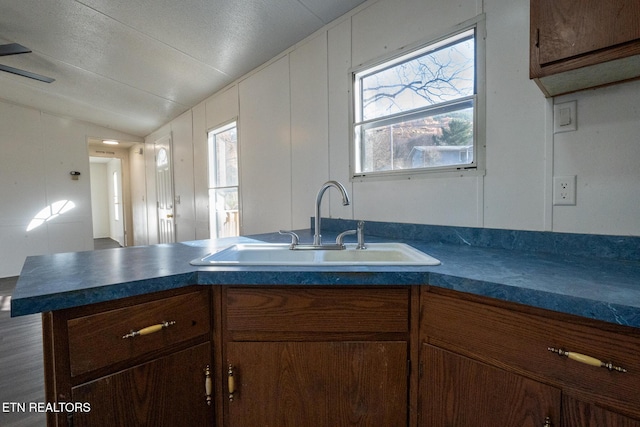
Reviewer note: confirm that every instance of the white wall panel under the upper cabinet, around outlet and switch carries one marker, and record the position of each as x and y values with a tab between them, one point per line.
604	154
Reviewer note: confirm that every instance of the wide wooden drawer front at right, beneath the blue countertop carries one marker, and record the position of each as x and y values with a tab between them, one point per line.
520	341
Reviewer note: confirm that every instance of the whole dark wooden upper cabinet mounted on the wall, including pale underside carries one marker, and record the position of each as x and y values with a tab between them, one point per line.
585	44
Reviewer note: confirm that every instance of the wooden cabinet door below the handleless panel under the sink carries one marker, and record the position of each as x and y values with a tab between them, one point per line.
318	384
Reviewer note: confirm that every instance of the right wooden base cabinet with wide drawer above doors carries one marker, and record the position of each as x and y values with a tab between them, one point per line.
480	353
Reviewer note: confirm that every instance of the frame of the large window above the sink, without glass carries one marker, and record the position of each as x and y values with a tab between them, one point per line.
406	53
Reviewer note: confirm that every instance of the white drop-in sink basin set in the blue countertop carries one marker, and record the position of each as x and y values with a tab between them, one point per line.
281	254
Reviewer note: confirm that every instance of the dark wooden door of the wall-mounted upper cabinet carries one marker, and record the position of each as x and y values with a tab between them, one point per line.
569	28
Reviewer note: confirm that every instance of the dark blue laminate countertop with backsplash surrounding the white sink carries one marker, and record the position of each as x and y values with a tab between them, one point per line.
599	287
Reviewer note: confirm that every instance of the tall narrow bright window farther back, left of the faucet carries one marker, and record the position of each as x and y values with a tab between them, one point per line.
224	212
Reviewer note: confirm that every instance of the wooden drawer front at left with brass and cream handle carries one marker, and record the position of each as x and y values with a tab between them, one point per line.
97	340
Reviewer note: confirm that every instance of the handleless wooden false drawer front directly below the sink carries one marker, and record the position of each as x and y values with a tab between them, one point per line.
330	310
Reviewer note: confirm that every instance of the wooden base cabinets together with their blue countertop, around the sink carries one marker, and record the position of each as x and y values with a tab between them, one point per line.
144	336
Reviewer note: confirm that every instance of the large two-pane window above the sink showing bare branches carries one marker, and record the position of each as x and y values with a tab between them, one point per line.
419	112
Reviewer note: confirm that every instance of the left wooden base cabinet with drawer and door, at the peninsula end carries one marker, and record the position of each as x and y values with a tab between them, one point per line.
137	362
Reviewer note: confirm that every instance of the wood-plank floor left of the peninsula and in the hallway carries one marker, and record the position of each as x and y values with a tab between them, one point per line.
21	365
